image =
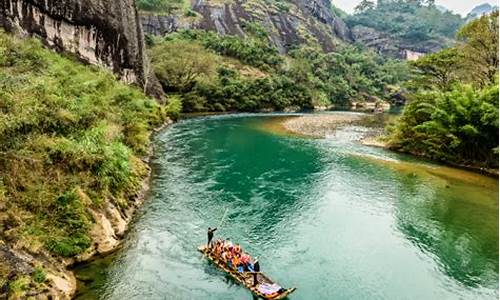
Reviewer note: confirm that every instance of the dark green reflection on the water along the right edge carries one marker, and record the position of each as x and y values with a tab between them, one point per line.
450	223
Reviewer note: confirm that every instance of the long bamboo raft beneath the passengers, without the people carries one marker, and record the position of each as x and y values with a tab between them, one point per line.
246	278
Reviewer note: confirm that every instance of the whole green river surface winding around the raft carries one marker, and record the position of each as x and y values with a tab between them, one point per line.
334	218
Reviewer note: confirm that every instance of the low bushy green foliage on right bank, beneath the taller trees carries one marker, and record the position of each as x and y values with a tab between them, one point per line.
460	126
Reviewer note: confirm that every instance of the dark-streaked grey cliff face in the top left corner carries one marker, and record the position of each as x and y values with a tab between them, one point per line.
106	33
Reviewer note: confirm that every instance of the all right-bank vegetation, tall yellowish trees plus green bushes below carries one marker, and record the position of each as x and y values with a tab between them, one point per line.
453	113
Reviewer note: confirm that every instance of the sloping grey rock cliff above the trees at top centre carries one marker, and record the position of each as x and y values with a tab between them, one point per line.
288	23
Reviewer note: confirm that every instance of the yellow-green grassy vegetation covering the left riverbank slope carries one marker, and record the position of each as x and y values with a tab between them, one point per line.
71	136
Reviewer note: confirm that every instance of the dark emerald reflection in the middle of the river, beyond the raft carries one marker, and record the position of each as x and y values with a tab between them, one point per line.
242	169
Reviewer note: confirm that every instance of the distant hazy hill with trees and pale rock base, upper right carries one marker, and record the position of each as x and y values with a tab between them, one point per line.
404	29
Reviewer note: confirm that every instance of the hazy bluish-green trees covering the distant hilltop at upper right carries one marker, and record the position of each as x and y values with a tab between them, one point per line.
415	21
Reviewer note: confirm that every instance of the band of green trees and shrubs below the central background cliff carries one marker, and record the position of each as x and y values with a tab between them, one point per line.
209	72
